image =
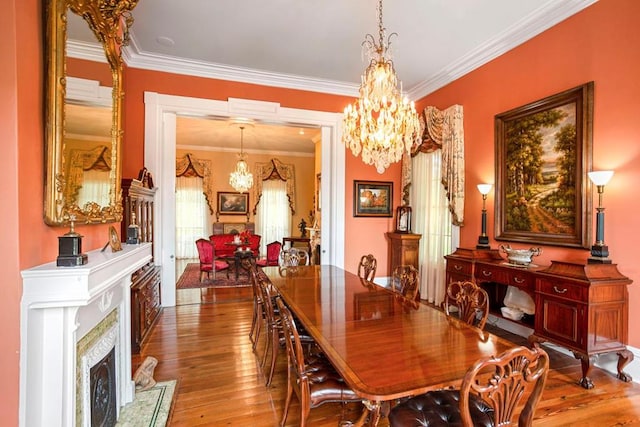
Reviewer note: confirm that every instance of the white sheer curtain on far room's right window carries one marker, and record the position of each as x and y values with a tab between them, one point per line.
273	219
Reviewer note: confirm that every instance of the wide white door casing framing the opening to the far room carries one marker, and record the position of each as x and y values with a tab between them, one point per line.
159	157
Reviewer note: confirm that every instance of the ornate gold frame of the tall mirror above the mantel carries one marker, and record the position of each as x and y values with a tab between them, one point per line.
110	21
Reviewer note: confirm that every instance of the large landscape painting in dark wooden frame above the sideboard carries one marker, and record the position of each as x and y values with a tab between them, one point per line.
543	153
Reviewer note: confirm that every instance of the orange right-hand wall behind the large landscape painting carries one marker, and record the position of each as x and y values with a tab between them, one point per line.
600	44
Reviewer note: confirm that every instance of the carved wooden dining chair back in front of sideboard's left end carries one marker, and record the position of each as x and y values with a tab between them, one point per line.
467	301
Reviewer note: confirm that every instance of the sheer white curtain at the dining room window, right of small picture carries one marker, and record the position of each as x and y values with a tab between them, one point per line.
432	219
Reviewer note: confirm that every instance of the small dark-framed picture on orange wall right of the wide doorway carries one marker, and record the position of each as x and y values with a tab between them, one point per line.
372	198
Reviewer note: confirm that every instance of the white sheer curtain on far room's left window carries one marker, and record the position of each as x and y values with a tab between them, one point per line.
191	216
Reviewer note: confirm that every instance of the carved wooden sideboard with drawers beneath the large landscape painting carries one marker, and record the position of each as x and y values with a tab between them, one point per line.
582	307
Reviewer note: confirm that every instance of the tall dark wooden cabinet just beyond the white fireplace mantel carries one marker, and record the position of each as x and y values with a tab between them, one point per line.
145	286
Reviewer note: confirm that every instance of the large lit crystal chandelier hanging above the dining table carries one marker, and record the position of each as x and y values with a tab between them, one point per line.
380	123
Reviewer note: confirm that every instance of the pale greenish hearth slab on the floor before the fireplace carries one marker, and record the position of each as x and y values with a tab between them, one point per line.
150	408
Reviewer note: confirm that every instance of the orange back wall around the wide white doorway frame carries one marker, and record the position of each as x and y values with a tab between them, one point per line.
359	238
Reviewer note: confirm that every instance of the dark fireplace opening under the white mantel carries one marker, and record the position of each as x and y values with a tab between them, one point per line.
103	391
